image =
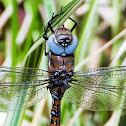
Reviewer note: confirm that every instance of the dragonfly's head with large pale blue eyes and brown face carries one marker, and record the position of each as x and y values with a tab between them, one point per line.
62	42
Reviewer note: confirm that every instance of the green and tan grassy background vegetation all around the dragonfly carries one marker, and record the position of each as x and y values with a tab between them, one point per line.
21	24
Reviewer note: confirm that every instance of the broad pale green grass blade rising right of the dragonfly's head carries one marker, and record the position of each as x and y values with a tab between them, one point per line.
86	32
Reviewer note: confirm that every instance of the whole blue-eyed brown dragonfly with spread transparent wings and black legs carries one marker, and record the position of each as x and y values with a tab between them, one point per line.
95	89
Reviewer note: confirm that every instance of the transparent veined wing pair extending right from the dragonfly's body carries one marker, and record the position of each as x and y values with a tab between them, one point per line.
99	89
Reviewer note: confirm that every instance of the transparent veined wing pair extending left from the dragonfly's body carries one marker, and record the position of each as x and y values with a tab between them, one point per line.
21	87
